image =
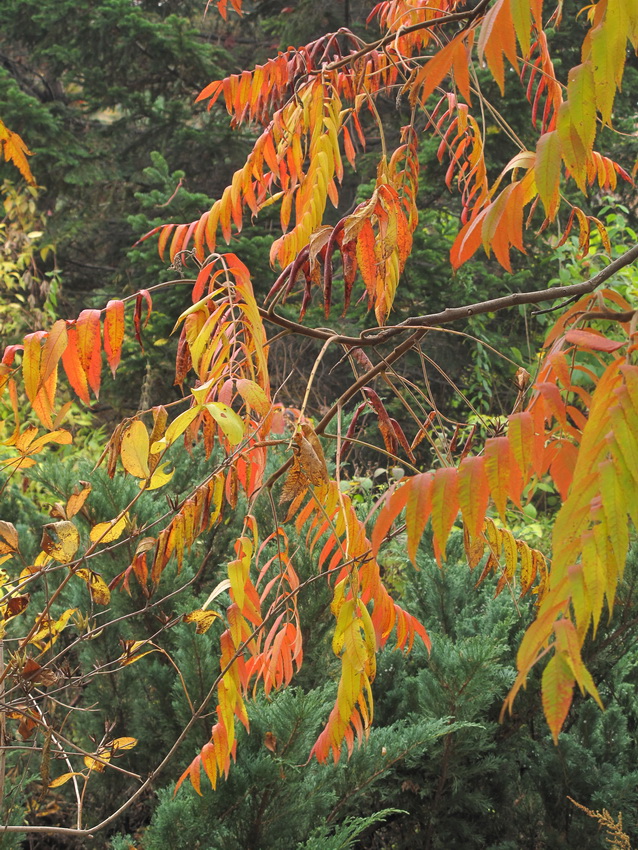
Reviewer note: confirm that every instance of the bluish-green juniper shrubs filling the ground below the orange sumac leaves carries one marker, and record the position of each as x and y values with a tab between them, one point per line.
437	756
